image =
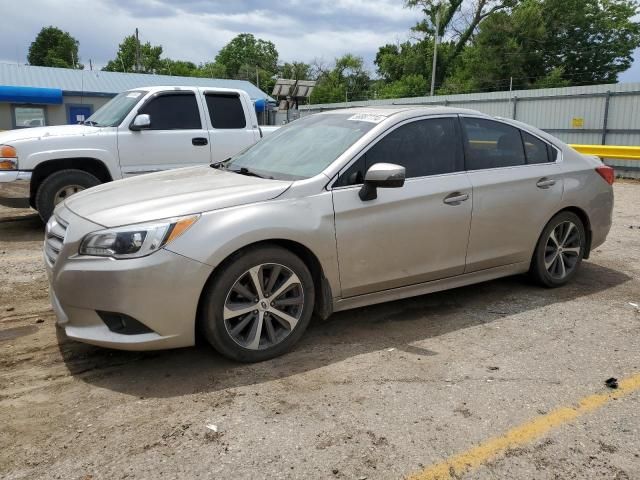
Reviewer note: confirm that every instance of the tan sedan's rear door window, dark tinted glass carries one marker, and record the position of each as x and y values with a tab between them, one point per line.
491	144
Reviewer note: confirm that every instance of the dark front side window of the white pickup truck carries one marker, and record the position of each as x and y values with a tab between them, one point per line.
173	111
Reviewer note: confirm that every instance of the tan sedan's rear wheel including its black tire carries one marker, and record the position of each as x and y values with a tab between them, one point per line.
559	250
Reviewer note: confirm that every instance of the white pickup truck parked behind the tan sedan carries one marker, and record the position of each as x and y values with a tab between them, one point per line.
139	131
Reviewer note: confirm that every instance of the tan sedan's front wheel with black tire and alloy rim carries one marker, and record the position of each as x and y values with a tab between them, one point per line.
231	318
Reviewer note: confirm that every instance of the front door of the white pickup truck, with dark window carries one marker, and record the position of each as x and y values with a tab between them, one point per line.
176	137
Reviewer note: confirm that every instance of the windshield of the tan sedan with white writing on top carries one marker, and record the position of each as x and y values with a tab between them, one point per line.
304	148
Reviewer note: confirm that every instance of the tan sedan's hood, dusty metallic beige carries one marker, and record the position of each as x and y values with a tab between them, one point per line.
170	194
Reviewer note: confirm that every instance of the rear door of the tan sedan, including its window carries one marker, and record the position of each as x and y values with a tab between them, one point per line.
517	188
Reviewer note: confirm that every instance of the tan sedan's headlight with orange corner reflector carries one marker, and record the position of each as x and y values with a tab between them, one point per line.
135	241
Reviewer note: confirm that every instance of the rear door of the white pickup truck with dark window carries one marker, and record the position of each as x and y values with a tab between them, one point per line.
229	122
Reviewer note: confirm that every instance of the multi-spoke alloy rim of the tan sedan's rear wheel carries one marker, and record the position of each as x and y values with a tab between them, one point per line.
562	251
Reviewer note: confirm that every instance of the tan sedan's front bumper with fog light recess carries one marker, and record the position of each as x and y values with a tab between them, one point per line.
161	291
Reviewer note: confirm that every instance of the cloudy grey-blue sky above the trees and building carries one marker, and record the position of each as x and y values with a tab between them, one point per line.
196	29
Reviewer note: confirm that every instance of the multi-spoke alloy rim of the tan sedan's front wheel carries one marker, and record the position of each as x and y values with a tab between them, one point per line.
263	306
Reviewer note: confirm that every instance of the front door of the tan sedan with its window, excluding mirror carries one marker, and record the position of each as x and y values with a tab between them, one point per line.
412	234
